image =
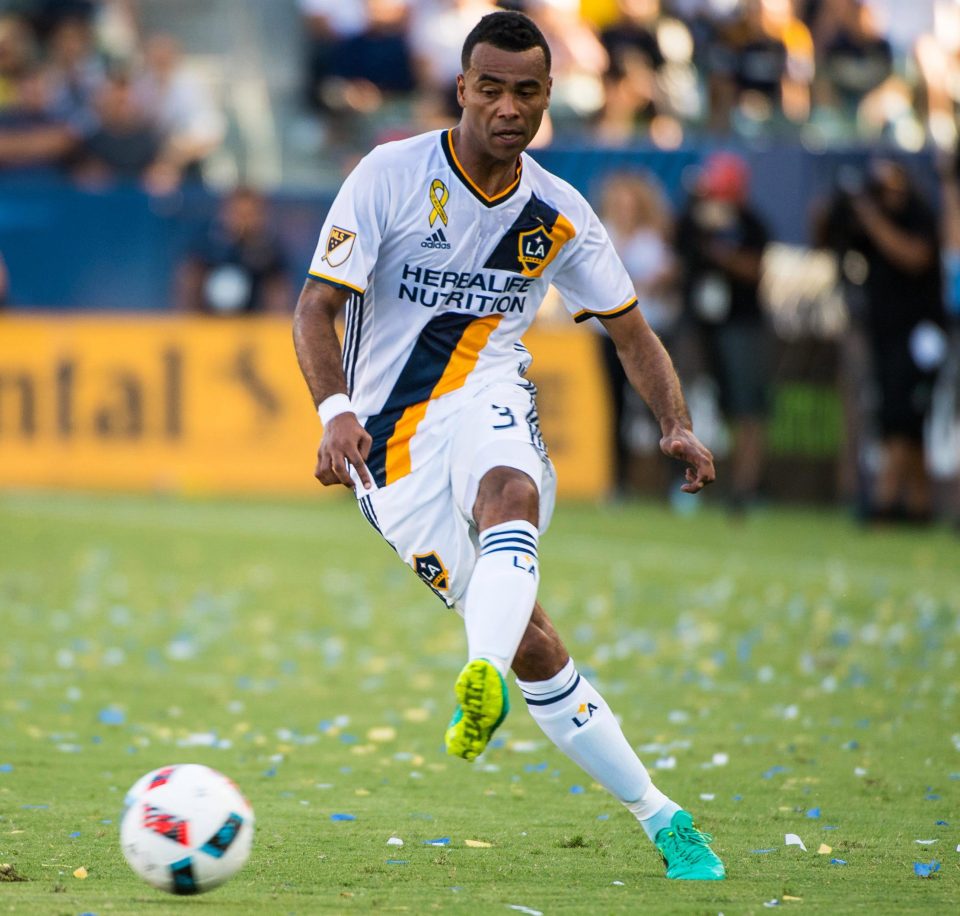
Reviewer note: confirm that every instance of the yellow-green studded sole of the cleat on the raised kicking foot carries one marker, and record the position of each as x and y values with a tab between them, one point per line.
483	705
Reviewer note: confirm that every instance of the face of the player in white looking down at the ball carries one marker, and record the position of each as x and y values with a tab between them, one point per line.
503	95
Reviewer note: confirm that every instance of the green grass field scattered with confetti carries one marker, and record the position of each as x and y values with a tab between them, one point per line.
791	674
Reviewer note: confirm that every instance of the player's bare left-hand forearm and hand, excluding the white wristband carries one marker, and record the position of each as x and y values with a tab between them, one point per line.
345	442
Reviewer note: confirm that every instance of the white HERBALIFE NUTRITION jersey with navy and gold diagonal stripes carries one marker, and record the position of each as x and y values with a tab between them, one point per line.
445	280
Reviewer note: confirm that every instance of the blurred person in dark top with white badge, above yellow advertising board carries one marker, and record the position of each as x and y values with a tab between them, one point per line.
239	266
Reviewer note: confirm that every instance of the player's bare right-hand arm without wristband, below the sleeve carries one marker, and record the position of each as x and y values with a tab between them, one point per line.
650	371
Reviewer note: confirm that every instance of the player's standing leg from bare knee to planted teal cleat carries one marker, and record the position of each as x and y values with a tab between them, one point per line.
576	718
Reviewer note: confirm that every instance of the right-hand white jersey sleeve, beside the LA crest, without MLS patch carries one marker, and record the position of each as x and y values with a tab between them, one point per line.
593	282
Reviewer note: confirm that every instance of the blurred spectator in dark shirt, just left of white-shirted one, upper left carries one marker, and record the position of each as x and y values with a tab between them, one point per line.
125	146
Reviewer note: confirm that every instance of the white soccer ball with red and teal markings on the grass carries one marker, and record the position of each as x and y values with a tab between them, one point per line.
186	828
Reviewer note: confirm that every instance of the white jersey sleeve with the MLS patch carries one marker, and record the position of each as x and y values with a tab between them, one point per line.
351	234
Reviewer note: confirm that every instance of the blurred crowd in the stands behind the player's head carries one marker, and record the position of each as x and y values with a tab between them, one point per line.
289	91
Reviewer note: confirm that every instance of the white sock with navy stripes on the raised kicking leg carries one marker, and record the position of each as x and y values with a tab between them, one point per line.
502	591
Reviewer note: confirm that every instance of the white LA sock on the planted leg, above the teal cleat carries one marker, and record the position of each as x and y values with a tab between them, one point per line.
578	721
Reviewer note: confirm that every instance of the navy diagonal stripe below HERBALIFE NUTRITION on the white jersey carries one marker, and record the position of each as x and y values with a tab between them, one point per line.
424	367
